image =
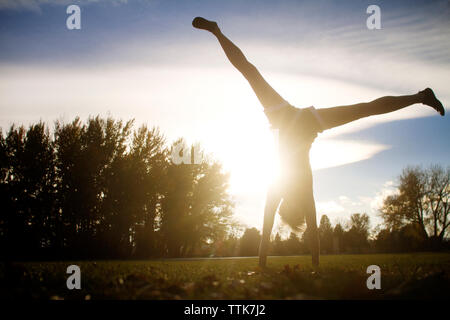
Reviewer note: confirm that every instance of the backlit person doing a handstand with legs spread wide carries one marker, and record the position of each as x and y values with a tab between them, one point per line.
297	130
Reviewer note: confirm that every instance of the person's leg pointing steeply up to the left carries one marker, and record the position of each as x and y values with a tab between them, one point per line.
265	93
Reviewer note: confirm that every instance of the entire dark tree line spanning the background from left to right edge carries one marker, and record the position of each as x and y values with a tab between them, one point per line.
102	189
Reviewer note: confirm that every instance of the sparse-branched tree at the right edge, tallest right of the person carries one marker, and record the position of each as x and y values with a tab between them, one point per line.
422	199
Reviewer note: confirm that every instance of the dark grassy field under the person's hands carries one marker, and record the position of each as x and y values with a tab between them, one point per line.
421	275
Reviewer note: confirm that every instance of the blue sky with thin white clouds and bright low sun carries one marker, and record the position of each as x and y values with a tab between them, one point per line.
143	60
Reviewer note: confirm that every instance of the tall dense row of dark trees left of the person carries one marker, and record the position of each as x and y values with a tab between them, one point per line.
99	189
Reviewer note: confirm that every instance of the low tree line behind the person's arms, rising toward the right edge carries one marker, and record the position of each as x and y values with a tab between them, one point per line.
415	218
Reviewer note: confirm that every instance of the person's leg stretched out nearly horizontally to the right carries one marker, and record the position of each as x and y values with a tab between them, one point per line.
336	116
